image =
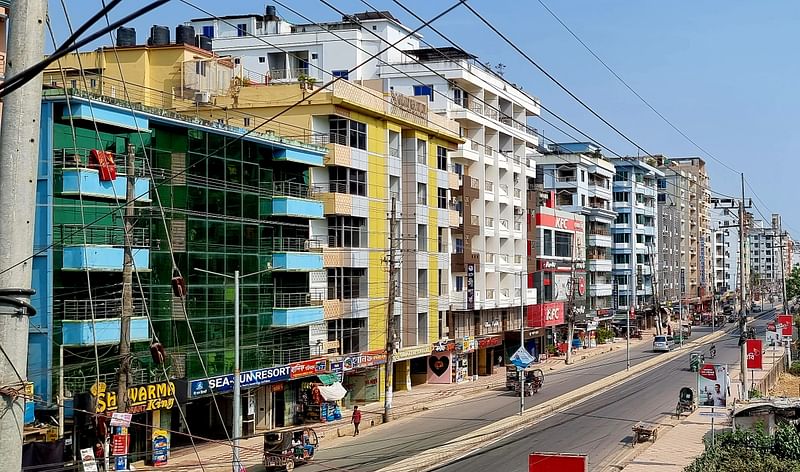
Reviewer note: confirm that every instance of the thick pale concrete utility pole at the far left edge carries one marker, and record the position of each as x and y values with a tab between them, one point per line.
19	160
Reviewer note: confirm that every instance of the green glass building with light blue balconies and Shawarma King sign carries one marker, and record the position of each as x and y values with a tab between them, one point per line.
207	197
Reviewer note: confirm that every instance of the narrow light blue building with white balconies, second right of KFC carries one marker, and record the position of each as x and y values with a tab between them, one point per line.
635	234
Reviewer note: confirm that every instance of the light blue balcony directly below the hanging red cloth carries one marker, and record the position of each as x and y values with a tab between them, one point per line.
87	182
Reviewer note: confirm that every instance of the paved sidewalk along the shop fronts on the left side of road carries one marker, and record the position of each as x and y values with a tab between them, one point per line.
217	455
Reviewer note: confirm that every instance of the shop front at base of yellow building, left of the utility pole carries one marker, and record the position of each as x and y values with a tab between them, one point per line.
360	374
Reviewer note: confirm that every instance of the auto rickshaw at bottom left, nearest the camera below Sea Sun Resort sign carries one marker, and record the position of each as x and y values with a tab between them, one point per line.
285	449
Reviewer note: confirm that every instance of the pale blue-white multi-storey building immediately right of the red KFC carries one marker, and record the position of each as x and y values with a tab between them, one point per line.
581	179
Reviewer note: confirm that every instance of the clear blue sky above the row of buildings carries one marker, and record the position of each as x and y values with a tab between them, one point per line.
722	71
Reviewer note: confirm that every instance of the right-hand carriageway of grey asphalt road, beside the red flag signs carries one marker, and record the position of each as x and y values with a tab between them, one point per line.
601	426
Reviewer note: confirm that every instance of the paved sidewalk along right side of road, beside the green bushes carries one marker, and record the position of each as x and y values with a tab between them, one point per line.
678	447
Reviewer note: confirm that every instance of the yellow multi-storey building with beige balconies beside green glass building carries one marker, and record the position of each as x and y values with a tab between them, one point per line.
381	146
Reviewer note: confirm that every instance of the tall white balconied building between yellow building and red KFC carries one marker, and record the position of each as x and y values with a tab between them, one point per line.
495	234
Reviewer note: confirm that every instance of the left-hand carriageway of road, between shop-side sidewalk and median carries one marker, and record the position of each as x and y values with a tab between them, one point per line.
407	437
